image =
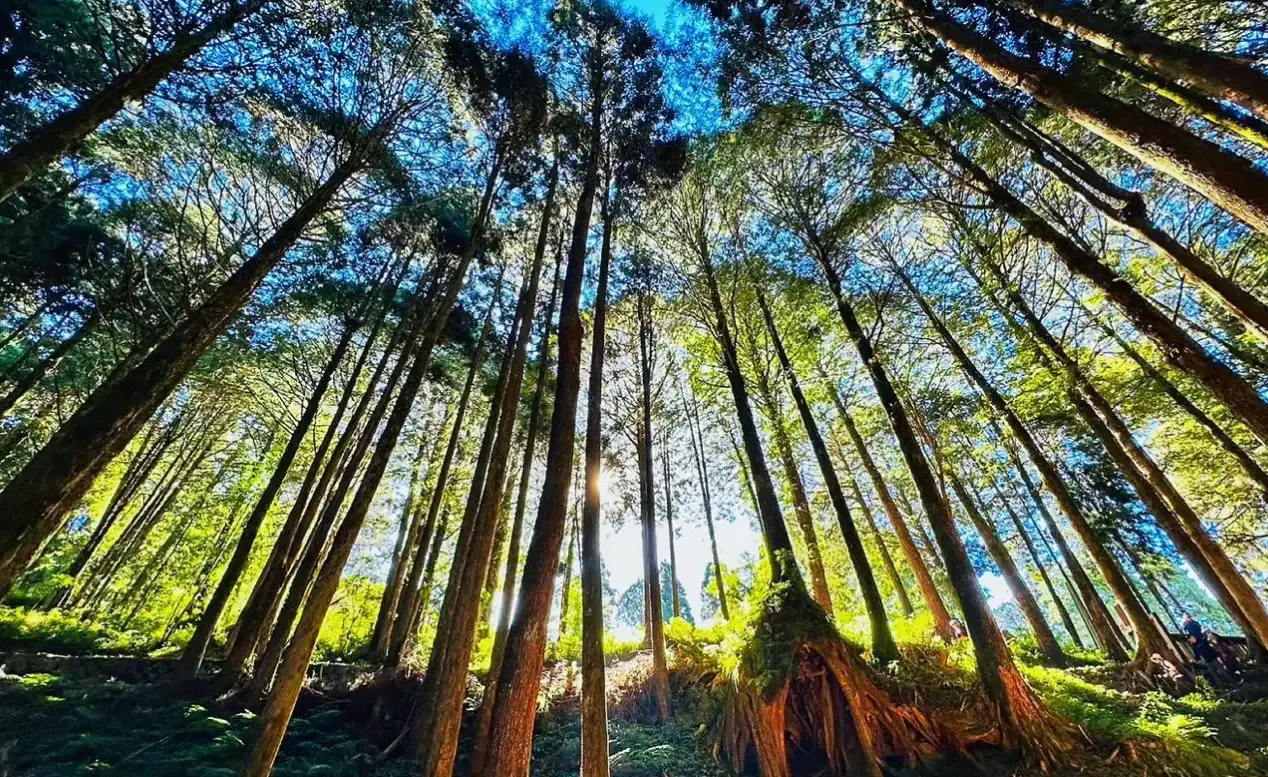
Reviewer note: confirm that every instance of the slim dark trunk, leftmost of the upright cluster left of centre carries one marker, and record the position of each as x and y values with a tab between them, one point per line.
192	658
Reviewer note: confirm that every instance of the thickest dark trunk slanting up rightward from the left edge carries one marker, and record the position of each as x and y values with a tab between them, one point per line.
55	481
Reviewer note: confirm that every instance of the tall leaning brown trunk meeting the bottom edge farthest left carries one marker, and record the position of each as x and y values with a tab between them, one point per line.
418	352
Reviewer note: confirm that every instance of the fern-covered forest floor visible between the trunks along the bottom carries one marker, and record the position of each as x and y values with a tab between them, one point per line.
63	726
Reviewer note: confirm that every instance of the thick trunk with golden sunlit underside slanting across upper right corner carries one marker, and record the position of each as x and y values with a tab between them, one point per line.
1227	179
